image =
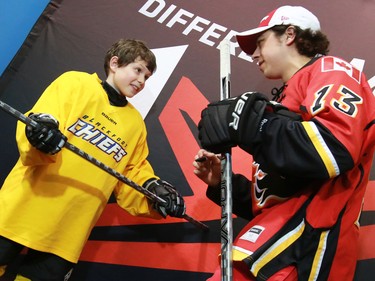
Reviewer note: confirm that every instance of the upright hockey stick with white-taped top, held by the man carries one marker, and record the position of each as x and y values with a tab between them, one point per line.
226	175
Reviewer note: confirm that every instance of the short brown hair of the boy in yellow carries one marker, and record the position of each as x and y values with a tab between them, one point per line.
127	51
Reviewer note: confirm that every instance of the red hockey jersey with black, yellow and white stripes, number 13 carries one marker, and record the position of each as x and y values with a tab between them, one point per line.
310	175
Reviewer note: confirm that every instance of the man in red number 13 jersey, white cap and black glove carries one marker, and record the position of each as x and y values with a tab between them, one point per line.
312	149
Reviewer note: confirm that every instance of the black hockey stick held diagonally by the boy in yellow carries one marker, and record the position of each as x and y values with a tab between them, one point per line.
154	198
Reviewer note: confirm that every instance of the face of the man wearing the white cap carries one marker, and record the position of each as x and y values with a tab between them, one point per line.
270	54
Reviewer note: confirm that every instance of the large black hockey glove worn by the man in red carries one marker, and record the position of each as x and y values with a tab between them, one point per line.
231	122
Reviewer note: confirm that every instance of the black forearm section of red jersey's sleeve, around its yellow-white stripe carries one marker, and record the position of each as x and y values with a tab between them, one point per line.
283	147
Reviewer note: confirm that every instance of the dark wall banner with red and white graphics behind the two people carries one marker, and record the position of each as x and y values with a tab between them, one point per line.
184	35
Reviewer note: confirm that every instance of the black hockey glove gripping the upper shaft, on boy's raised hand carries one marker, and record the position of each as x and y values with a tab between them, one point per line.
47	136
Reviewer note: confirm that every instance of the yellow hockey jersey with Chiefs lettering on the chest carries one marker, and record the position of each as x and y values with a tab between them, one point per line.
50	203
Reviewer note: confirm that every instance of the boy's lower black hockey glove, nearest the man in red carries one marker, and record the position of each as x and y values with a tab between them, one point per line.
175	206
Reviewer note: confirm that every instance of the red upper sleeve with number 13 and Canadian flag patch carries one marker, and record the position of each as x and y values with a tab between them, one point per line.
335	95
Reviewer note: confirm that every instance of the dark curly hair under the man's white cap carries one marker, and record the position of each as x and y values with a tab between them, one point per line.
308	42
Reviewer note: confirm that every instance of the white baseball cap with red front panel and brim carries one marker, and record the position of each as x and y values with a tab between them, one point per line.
285	15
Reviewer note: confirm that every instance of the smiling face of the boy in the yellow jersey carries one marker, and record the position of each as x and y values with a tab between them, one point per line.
130	79
